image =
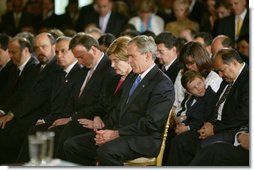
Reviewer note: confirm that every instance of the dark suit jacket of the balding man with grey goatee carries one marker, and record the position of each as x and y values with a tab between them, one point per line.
36	102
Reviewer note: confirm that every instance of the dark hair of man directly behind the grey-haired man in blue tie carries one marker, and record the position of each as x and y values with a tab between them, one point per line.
168	39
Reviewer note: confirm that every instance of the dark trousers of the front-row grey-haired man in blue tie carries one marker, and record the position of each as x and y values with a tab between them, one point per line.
82	150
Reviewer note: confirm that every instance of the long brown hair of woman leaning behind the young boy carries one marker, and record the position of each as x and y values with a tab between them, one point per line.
200	56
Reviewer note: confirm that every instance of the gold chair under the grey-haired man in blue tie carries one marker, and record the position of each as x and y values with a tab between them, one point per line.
154	161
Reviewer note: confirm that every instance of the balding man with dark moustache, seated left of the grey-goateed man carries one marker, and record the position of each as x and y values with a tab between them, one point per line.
19	84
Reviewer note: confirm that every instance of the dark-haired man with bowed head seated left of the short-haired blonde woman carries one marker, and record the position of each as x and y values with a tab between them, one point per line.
86	98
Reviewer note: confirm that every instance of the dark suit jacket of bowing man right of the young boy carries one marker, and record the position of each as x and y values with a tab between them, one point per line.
235	112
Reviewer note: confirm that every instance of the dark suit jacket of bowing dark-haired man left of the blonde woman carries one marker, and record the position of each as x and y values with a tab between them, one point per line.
87	105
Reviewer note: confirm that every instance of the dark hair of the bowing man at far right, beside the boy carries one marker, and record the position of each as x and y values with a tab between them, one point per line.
229	54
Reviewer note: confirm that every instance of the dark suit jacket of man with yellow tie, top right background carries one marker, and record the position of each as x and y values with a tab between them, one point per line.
226	26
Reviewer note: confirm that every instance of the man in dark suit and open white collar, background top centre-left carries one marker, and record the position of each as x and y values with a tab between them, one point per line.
107	20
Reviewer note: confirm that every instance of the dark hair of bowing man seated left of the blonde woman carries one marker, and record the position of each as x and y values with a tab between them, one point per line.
85	40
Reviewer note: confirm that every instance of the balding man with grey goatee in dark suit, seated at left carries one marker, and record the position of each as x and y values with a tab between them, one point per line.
24	113
